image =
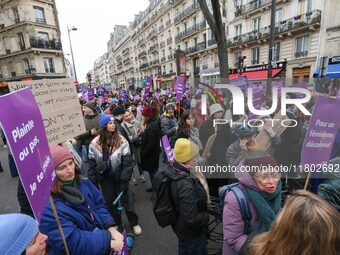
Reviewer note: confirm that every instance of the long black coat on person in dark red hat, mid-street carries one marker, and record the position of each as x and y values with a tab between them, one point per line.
150	147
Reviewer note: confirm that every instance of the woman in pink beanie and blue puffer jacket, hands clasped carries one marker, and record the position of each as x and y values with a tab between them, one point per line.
87	225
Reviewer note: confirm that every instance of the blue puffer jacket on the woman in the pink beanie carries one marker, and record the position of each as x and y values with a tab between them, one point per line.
84	225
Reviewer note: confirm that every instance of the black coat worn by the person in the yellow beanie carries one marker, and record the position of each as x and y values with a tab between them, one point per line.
190	200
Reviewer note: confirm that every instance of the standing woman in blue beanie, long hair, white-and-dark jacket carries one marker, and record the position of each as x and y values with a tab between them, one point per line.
112	161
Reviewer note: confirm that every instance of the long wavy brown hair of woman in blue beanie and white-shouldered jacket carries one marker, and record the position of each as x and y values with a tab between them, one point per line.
109	141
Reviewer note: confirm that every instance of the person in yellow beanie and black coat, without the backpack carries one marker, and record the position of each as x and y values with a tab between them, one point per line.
189	192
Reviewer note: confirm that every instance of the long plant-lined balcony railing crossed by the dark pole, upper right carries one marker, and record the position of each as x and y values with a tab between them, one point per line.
297	22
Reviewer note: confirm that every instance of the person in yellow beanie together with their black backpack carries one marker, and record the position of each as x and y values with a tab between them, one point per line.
181	199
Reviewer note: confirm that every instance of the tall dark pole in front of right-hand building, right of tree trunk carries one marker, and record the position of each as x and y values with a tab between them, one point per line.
271	44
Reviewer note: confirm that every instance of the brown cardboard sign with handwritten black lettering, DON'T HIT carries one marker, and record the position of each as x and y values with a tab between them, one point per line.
59	105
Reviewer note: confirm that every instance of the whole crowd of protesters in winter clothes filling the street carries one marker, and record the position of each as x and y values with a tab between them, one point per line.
125	133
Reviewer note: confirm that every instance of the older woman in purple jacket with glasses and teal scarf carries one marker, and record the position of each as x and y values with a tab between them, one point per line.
262	189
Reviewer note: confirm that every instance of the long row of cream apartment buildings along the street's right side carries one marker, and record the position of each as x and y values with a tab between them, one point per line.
306	41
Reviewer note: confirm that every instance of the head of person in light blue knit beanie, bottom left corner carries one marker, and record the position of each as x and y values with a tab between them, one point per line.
19	234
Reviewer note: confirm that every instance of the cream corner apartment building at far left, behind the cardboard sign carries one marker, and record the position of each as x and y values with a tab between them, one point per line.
30	46
